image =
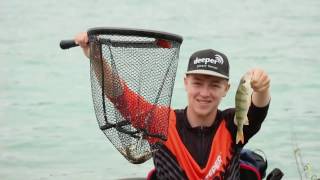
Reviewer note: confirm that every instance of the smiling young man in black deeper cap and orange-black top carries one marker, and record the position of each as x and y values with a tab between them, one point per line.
201	140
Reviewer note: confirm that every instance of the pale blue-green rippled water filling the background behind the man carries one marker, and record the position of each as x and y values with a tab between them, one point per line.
48	128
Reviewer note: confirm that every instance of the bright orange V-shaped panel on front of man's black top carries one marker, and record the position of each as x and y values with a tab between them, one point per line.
218	159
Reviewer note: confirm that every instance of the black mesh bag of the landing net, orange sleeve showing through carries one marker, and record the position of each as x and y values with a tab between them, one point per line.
145	66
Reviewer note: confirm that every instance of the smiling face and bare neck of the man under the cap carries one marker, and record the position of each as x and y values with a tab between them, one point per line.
204	95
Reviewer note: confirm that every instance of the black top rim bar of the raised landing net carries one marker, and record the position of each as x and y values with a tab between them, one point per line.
135	32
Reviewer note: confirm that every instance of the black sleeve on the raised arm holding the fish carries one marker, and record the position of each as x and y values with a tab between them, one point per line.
256	116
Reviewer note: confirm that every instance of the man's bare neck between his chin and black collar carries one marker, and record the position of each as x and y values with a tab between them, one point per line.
202	121
